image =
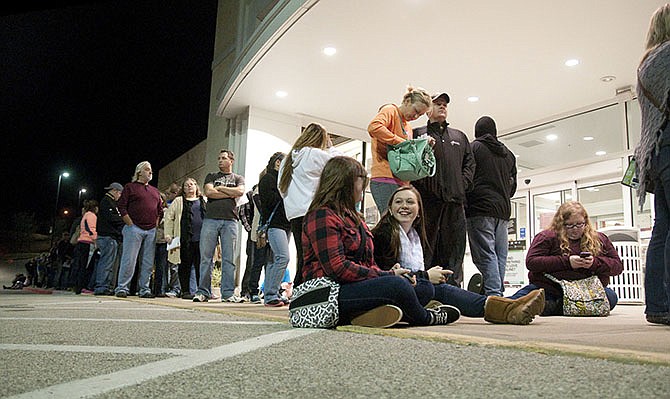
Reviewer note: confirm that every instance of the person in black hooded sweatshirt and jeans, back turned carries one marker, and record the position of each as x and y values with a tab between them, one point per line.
488	205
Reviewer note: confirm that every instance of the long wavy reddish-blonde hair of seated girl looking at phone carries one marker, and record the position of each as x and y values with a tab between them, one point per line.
590	240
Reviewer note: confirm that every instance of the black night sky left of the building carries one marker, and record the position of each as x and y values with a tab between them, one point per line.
93	88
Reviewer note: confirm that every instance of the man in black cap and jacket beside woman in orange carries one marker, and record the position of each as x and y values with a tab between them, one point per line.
444	193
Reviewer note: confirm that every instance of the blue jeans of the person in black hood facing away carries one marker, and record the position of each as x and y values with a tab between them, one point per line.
488	246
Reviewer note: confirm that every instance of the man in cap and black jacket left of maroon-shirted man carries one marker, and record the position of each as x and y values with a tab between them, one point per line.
109	228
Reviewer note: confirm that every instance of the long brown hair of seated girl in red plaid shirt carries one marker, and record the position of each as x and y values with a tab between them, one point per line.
336	186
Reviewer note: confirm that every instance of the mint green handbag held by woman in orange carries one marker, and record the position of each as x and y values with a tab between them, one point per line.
412	159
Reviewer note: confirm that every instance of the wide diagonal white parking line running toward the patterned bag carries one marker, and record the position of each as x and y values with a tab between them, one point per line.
137	375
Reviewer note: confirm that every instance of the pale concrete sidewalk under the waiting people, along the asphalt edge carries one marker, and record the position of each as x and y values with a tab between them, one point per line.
623	336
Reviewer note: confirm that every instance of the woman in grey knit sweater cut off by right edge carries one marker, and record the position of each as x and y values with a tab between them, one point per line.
652	155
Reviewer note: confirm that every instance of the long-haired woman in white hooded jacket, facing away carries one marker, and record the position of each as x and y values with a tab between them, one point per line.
299	175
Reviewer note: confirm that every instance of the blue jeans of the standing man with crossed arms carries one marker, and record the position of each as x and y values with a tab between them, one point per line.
212	231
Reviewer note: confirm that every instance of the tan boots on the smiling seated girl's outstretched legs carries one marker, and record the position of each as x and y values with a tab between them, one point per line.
514	311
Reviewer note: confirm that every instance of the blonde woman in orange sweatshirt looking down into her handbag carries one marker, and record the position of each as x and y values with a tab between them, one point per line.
391	126
